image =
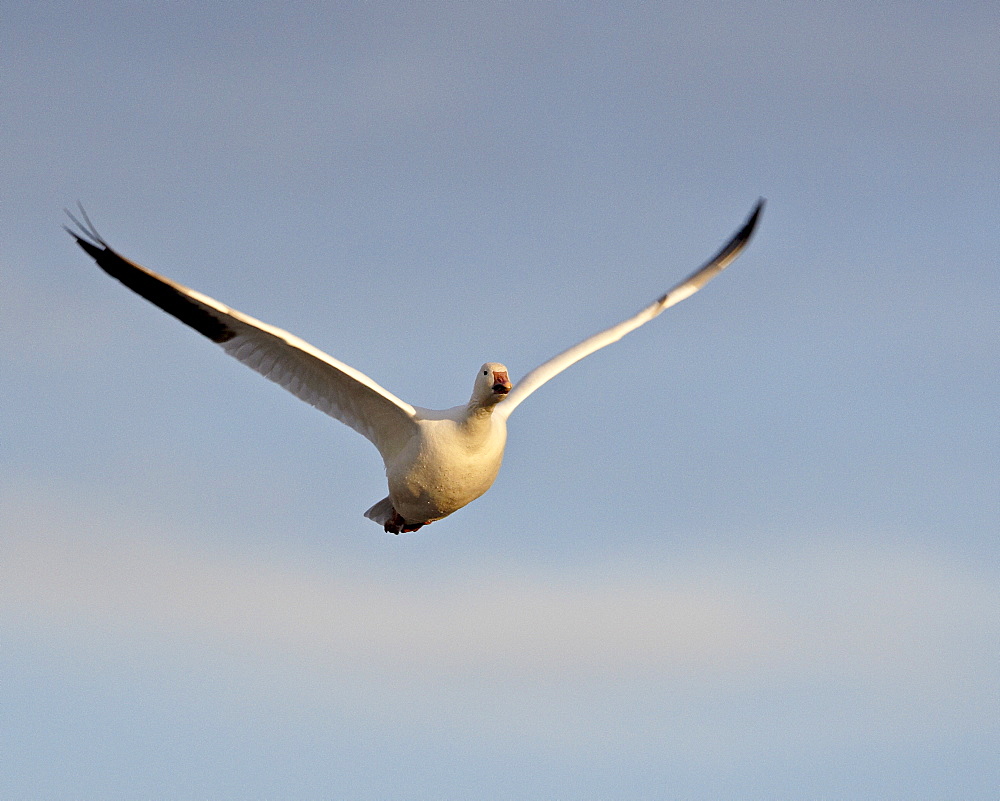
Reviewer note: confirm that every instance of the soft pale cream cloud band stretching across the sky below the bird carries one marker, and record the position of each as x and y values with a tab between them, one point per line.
844	610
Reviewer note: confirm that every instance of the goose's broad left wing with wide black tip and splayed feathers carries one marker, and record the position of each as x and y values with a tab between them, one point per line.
320	380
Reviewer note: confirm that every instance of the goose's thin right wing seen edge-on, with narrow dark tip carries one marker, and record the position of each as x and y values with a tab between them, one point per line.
684	289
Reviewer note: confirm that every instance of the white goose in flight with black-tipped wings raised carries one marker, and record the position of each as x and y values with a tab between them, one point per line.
436	462
